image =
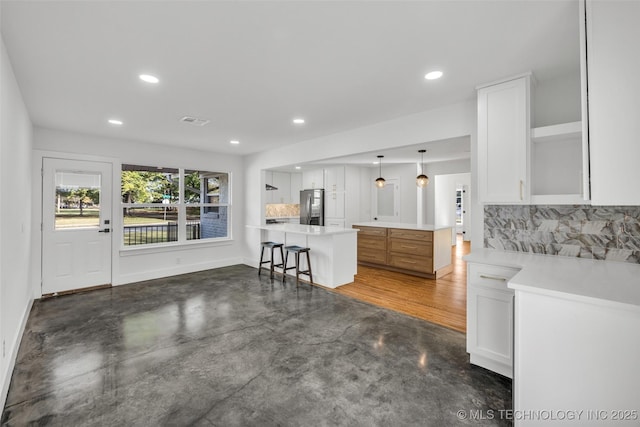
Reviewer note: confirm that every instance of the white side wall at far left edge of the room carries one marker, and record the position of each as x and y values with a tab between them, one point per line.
15	213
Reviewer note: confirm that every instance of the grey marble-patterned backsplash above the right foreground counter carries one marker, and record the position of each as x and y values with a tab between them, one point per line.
598	232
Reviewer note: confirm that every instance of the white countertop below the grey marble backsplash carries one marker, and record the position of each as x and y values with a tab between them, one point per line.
587	280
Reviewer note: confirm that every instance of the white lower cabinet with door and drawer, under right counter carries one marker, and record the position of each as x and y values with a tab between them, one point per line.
490	317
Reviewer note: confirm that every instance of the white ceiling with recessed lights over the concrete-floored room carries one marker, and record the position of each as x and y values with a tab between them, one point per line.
252	66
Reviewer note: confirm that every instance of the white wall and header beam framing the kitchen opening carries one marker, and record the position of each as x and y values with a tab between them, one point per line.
433	125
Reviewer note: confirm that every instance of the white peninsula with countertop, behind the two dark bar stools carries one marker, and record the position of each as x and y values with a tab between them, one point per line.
333	249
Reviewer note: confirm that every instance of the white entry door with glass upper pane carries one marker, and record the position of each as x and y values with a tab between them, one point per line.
76	224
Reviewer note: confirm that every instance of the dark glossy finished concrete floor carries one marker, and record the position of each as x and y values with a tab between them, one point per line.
226	348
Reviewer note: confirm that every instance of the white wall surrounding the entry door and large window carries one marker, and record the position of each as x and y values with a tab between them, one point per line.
144	263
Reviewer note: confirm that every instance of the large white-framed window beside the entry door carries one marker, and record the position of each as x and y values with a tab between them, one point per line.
157	209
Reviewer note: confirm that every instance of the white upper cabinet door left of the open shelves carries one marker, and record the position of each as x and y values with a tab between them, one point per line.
503	141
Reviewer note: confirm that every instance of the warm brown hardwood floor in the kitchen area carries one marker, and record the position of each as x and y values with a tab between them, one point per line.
442	301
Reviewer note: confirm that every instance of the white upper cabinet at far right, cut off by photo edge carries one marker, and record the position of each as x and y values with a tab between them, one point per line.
612	35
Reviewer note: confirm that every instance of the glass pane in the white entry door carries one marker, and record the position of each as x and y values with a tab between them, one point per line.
77	200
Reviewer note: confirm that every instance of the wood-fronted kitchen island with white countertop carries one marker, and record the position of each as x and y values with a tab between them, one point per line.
420	250
